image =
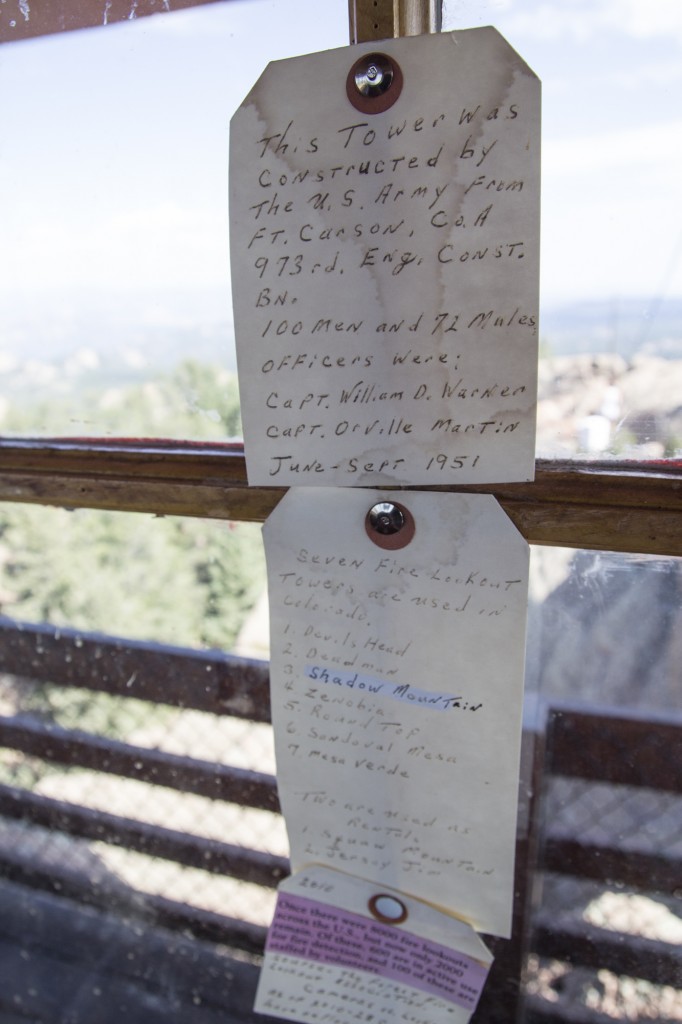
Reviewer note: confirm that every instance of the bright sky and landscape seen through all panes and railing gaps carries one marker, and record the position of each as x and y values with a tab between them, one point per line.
116	321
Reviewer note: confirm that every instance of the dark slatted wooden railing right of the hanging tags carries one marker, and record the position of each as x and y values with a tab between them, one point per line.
630	754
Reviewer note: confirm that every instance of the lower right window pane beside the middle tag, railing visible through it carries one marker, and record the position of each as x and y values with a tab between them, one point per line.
604	652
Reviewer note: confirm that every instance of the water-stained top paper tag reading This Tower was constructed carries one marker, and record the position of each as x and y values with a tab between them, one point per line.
386	266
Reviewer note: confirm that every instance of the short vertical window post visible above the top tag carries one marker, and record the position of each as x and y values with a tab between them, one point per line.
370	20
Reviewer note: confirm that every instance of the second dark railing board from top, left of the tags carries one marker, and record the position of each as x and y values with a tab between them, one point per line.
204	779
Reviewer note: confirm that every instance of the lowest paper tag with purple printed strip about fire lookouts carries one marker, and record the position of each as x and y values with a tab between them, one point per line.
339	948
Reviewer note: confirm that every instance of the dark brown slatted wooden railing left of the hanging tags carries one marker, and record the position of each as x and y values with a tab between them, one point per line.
208	682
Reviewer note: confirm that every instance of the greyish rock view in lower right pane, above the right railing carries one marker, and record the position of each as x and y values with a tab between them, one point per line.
605	628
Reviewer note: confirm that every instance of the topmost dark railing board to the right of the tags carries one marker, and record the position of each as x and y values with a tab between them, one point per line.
623	750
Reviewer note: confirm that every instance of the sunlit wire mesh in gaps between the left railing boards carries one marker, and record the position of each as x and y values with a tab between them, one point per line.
194	735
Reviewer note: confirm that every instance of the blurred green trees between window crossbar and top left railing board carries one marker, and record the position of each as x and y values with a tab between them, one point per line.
187	582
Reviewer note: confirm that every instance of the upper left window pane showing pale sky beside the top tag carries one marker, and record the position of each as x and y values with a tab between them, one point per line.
115	296
